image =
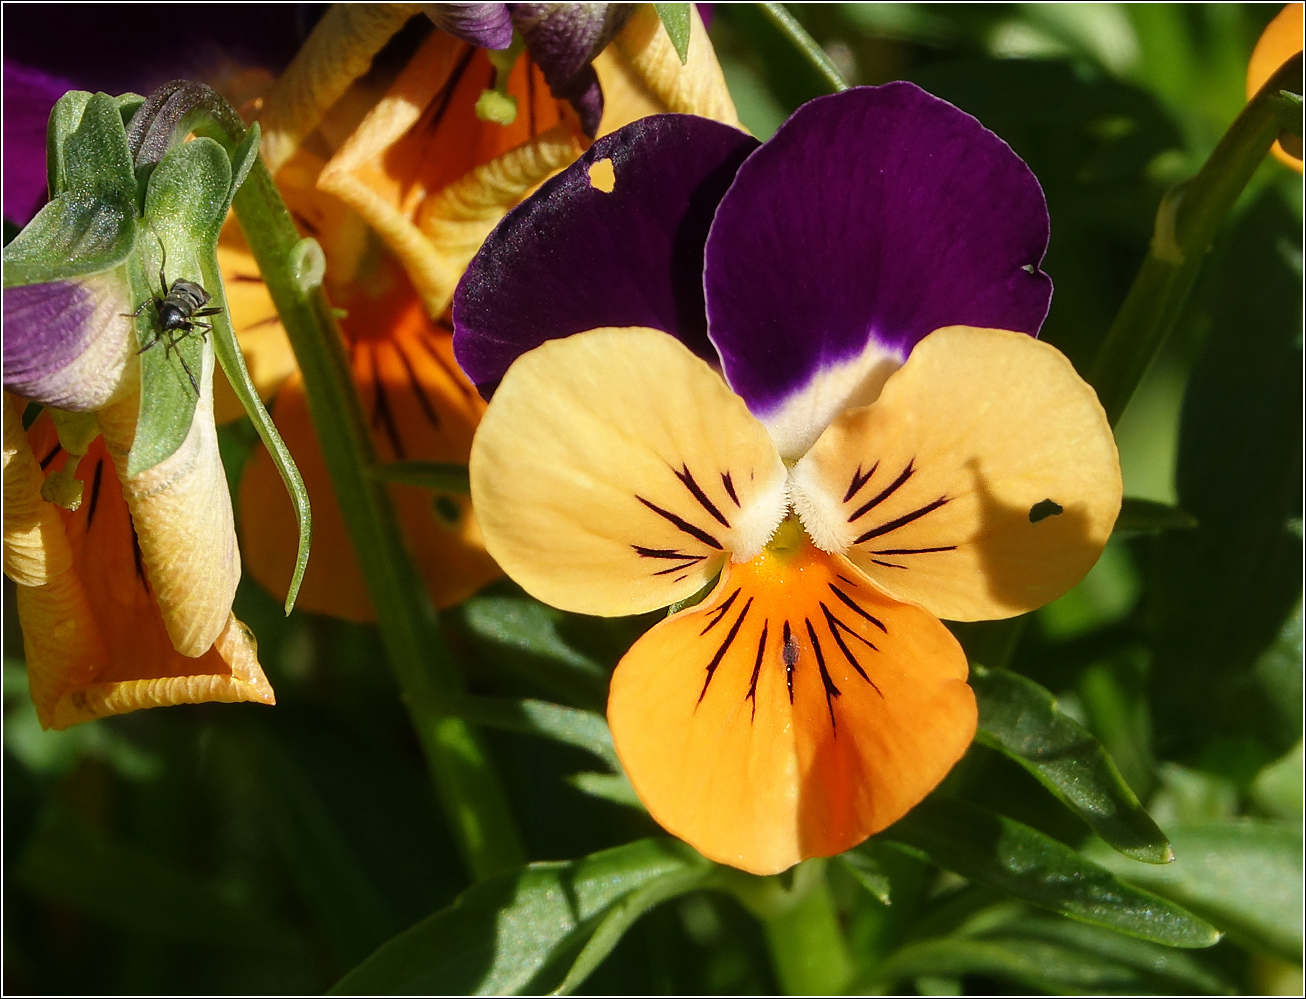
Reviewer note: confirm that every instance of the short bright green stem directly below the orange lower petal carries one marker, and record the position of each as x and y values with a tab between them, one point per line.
806	943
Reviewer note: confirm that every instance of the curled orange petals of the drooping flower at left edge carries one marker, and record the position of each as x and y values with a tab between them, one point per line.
93	629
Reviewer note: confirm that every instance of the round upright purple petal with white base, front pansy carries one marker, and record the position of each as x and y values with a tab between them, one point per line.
870	220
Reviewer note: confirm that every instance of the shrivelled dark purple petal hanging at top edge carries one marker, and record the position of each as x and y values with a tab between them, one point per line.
564	39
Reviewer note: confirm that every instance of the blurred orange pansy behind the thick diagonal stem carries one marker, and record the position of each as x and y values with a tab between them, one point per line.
402	186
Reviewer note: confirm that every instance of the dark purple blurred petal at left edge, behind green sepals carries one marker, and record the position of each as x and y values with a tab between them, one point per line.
29	97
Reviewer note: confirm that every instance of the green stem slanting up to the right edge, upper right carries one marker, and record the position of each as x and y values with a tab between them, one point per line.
1187	224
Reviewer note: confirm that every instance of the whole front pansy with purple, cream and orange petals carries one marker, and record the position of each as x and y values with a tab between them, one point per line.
806	370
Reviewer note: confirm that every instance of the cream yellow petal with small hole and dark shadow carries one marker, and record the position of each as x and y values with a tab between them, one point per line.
983	484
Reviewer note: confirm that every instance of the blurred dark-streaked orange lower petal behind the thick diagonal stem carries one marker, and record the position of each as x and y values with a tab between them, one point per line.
421	408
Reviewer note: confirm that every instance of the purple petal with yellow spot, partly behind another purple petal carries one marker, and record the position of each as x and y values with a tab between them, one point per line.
575	258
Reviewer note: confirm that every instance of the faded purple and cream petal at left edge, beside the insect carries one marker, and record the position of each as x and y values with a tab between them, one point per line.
66	343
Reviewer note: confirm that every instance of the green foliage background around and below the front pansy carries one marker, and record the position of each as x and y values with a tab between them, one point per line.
238	849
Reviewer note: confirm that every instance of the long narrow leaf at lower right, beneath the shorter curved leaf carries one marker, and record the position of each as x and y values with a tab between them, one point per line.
1014	859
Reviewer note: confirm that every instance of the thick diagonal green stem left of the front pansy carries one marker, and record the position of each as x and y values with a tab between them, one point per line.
466	780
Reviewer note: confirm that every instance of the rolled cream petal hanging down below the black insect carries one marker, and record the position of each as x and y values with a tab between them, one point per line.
182	514
